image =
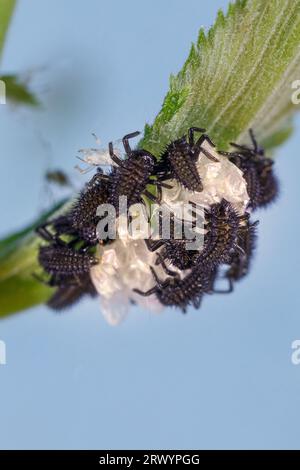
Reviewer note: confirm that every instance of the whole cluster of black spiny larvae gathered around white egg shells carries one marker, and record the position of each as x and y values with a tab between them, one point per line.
71	241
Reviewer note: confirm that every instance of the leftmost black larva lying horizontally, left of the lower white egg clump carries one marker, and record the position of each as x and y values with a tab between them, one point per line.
62	260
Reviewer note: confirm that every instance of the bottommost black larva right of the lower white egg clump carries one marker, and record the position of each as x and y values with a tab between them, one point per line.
181	292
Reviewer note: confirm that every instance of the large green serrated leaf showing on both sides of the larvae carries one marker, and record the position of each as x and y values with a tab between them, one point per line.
238	75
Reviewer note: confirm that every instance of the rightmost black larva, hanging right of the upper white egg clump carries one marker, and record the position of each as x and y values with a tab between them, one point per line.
262	184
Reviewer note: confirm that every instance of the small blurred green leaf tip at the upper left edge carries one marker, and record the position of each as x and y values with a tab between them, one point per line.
18	92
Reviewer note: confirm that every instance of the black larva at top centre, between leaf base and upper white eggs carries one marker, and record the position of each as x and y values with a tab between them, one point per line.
179	160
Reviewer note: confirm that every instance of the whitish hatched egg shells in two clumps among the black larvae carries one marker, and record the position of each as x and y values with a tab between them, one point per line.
125	264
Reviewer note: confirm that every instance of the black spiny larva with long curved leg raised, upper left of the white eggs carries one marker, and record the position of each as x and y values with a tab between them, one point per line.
132	175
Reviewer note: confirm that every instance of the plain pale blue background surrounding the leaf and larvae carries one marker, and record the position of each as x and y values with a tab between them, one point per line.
221	377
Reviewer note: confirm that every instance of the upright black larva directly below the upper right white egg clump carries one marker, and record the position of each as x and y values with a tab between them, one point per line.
221	238
